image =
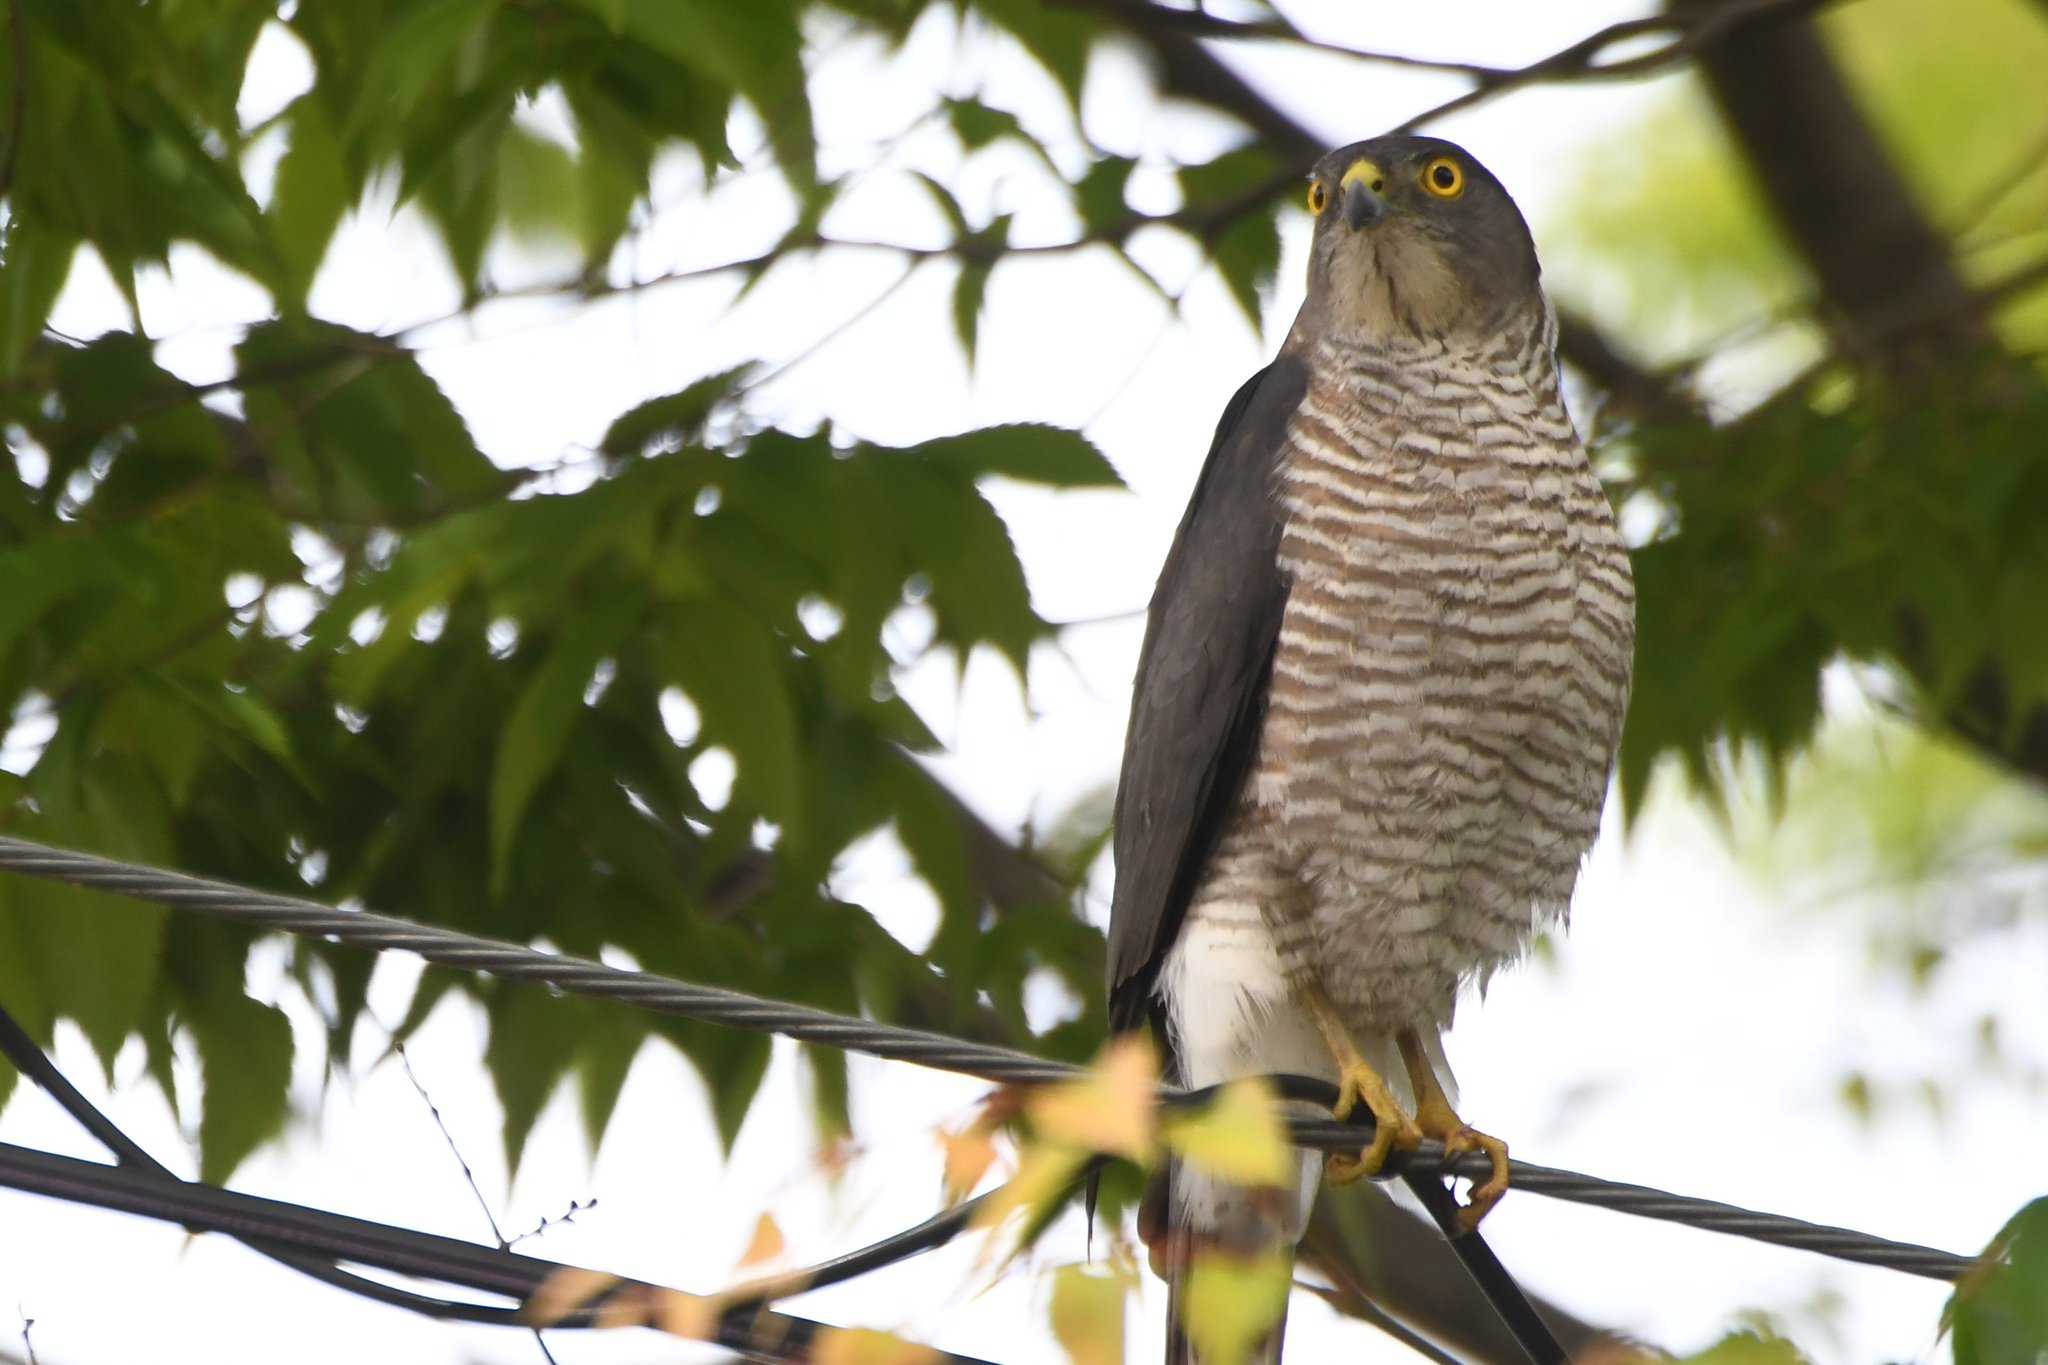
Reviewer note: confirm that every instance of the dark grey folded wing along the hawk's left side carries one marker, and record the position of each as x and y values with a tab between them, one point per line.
1201	685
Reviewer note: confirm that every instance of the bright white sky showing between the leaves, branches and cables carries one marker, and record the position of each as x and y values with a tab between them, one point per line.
1691	1034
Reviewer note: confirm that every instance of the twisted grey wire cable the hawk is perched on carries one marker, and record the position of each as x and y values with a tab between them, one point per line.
816	1026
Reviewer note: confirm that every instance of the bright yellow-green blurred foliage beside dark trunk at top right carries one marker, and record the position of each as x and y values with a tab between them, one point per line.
1666	238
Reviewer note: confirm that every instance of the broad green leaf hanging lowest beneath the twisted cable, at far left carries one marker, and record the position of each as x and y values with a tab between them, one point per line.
245	1063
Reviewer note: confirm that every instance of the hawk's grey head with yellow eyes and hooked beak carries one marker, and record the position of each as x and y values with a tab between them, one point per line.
1416	238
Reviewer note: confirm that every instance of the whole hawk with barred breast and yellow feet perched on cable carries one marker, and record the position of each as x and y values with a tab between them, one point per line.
1381	687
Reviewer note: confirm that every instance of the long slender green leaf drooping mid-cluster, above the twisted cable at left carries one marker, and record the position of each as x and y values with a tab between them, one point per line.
546	715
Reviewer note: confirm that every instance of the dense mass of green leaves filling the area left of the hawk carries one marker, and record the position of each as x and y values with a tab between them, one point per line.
318	640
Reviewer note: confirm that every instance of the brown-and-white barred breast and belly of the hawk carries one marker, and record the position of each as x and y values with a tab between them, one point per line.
1451	672
